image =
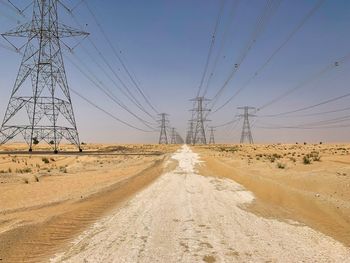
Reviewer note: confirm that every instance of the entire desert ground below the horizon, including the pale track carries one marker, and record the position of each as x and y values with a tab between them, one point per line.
173	203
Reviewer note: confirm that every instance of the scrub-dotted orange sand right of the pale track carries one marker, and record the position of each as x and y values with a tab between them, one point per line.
305	183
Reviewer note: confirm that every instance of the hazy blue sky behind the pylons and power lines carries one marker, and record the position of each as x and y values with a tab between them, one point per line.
165	44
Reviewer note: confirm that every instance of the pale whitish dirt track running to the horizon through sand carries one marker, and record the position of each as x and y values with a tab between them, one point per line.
186	217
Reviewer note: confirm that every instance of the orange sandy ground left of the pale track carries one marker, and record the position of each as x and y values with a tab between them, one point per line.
47	200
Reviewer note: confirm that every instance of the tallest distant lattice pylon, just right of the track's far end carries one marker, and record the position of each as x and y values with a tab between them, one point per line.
199	120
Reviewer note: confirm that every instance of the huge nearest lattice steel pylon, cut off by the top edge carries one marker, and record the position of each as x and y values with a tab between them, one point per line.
40	107
